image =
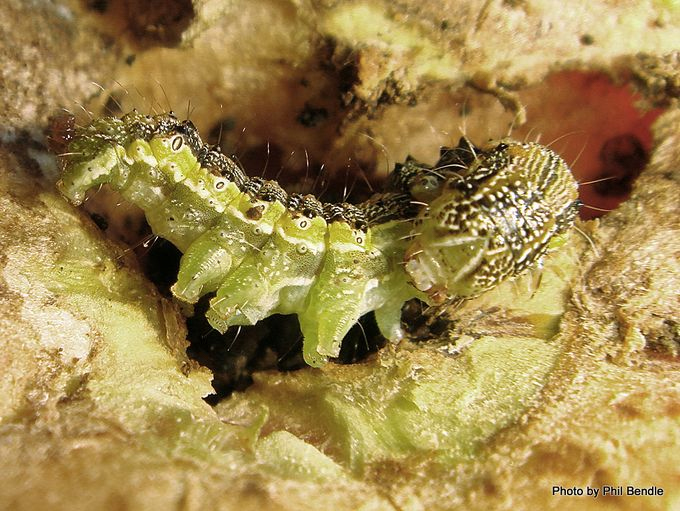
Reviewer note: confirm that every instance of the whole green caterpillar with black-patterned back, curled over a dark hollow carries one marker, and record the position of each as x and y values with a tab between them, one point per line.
448	231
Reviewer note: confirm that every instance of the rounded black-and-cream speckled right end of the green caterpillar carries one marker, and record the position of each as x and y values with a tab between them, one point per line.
491	221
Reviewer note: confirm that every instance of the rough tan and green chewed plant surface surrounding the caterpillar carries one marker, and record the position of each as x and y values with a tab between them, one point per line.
569	381
